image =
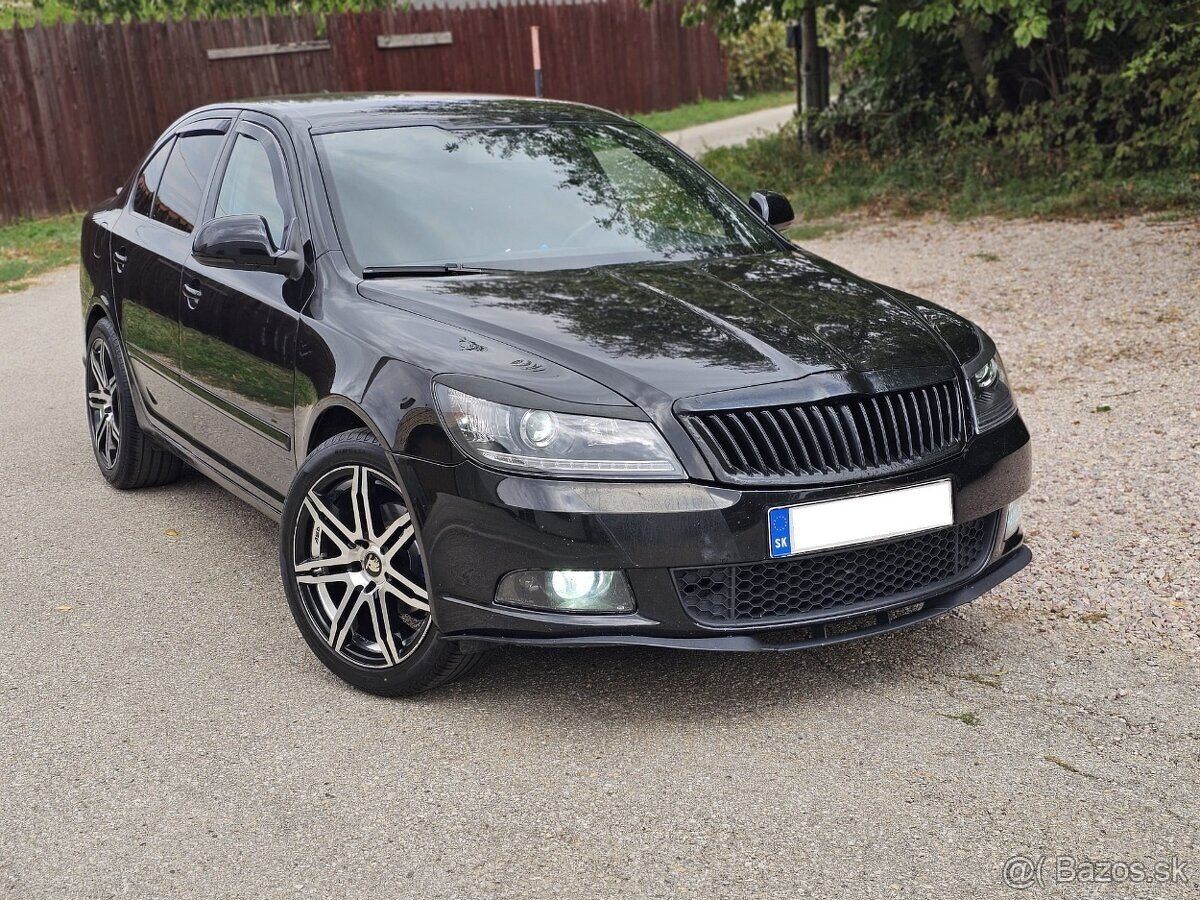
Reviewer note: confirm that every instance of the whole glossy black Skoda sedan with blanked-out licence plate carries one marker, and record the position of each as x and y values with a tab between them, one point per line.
520	371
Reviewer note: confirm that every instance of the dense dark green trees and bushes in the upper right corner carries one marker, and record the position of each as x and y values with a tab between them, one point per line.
1101	87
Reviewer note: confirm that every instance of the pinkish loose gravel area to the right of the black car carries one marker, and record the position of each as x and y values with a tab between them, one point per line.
1100	328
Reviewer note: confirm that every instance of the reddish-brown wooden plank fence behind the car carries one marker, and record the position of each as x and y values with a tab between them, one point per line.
81	104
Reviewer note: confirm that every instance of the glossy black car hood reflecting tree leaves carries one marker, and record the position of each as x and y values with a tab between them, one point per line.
673	331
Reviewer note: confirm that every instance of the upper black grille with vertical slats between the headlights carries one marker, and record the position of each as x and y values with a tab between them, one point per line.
838	437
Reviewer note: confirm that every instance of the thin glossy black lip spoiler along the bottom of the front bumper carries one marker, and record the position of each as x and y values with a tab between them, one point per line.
1001	571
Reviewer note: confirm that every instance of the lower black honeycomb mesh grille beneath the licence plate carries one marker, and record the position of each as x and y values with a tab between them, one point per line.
841	583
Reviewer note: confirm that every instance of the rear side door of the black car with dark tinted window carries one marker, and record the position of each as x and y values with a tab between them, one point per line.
152	239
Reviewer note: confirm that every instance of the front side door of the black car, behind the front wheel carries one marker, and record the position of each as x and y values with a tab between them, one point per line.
239	328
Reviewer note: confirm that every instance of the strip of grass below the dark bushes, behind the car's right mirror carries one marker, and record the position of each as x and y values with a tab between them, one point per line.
962	183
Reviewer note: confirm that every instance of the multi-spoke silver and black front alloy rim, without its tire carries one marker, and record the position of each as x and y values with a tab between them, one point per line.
358	568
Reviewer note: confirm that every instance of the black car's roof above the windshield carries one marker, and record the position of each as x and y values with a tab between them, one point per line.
349	112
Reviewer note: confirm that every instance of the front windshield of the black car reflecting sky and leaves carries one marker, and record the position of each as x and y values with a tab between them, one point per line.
549	197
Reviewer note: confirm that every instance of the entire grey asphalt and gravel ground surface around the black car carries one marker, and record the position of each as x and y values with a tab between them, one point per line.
165	731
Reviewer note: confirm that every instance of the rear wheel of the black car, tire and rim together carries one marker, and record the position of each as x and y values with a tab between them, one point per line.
128	457
